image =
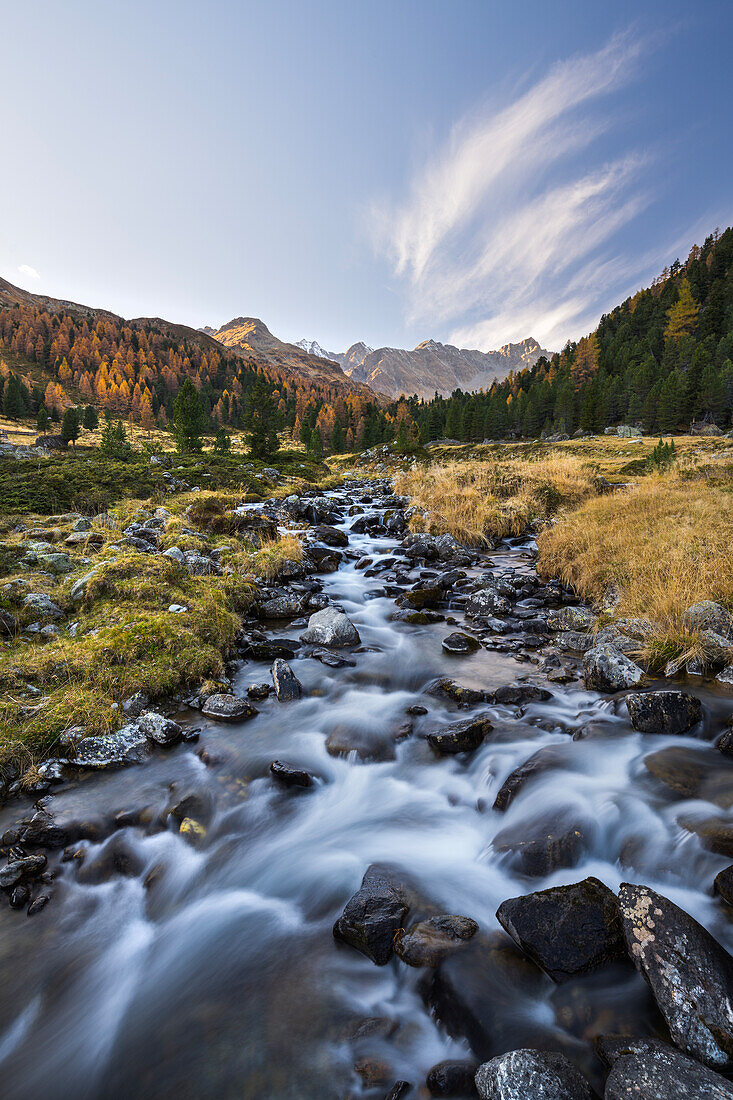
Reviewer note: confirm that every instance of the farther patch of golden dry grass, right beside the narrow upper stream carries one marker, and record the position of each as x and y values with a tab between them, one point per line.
477	501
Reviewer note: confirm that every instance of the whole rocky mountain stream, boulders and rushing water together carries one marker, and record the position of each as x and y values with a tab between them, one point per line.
434	838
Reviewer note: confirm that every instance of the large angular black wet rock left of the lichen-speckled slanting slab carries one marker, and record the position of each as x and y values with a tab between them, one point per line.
567	931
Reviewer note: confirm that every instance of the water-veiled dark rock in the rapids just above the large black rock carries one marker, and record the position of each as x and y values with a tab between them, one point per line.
544	844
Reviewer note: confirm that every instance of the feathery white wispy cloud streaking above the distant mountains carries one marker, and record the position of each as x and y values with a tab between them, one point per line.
504	235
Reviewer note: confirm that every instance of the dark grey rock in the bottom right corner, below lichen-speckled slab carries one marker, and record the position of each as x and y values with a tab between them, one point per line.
649	1070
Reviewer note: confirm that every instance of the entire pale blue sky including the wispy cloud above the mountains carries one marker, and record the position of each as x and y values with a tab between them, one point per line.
389	171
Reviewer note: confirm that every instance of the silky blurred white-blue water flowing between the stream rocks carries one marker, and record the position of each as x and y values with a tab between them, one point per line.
169	970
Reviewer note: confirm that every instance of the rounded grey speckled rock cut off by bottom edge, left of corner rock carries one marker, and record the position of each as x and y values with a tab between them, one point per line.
532	1075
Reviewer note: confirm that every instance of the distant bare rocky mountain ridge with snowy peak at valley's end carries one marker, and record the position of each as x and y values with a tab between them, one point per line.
431	367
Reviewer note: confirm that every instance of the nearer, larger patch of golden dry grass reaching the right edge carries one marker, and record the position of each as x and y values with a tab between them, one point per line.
666	543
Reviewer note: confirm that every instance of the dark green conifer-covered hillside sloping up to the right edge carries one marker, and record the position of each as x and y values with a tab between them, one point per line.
663	359
